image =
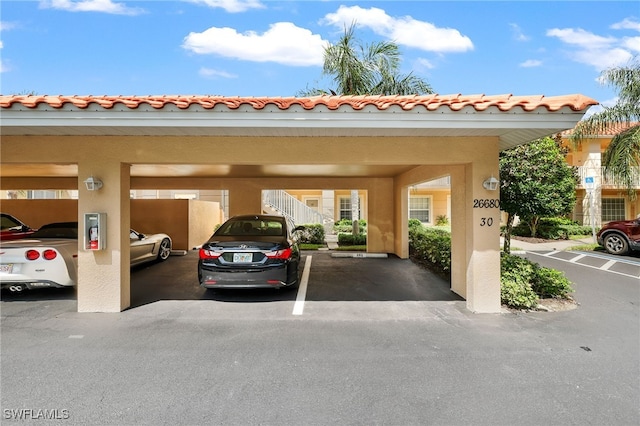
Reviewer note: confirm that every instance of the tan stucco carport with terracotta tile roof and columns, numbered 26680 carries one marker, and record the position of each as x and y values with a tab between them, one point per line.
381	144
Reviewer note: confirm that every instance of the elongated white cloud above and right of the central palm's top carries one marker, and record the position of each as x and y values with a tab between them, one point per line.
405	30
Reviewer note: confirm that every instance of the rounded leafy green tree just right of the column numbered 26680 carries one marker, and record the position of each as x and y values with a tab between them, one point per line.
535	182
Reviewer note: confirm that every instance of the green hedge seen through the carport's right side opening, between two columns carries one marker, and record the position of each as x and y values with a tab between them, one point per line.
432	245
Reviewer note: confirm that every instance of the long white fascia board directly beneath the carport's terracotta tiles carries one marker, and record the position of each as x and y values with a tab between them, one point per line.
345	118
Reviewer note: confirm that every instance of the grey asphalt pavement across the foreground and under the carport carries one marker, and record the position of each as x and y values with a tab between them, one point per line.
379	341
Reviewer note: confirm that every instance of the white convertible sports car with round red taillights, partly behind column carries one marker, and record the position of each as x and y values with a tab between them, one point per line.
49	257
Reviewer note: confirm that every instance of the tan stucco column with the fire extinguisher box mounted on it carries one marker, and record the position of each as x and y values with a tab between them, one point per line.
104	275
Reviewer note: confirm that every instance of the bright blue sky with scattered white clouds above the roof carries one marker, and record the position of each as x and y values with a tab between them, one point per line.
274	48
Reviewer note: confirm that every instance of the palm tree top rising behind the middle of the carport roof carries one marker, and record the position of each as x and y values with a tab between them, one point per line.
371	69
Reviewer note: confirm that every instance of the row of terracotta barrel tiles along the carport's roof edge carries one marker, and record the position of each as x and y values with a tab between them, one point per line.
431	102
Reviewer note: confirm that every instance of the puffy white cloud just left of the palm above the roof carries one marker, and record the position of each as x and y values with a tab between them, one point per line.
283	43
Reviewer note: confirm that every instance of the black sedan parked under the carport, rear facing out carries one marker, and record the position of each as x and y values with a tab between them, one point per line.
258	251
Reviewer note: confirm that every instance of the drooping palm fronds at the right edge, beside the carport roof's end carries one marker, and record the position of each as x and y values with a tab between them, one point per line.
621	159
